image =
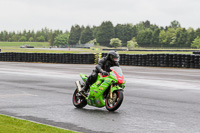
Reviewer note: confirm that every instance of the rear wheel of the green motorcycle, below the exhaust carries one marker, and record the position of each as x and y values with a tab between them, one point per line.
78	100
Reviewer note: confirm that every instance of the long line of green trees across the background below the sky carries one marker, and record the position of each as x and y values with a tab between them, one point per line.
144	34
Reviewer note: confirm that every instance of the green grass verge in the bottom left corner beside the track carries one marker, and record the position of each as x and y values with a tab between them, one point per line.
13	125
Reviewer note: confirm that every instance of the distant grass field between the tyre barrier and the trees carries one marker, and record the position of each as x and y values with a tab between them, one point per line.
15	47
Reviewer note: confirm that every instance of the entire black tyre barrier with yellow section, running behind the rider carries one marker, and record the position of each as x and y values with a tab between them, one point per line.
153	60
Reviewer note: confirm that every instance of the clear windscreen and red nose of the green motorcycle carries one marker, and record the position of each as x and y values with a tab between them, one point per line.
118	73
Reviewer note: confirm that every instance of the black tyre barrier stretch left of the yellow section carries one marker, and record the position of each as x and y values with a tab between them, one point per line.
48	58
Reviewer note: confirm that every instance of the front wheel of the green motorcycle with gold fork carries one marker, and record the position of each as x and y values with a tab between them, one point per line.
114	103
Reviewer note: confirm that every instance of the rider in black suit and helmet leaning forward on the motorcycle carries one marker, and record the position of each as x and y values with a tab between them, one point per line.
103	67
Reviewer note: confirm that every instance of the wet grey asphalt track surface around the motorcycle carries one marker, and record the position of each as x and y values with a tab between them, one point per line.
156	100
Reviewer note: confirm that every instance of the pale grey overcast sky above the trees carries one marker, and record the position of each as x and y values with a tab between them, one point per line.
18	15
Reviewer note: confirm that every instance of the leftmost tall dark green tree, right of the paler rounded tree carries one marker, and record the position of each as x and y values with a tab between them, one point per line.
75	34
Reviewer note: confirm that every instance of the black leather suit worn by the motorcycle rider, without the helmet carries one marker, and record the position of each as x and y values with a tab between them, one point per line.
104	64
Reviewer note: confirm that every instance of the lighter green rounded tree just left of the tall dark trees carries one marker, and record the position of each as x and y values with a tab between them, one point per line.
61	40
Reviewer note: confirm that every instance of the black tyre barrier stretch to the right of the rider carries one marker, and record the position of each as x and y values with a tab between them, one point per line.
160	60
